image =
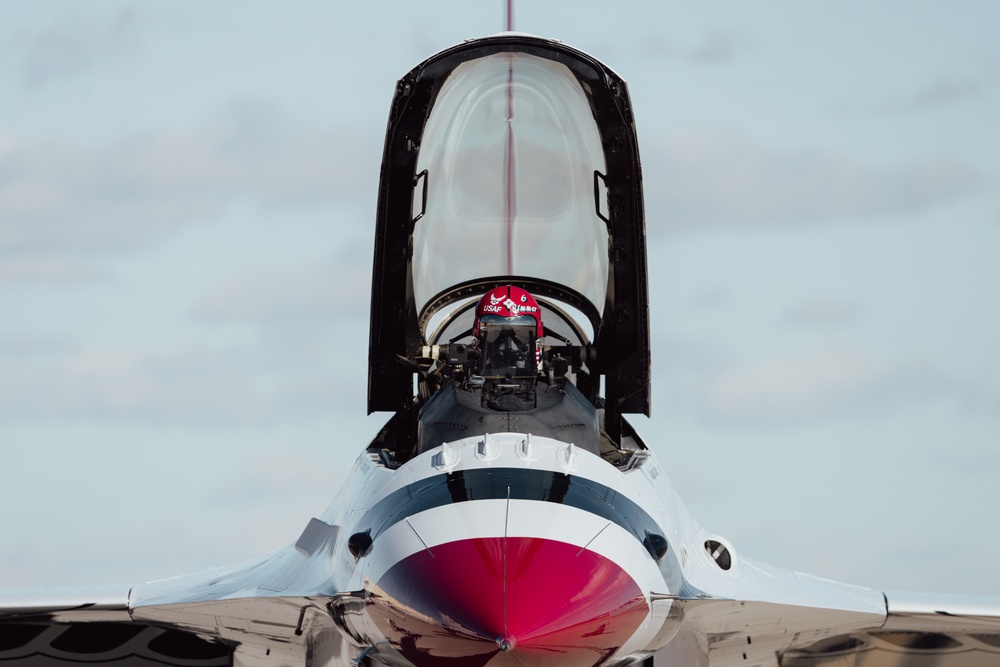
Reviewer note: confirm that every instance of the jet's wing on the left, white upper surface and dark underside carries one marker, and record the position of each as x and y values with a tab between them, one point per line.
269	611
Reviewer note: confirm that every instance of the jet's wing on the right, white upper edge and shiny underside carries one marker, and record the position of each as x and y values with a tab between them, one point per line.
771	617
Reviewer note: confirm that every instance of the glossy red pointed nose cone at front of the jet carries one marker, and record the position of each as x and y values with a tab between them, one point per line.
535	603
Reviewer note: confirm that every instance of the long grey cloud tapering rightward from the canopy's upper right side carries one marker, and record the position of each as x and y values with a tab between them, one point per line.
709	179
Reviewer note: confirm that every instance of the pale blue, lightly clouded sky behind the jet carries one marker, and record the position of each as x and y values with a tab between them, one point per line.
187	203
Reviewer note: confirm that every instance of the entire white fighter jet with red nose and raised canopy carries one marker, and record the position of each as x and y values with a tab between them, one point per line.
507	514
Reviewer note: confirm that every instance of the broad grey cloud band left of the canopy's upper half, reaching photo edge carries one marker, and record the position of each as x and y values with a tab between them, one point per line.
59	196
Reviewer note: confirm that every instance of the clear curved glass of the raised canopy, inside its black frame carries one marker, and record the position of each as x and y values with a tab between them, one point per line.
510	152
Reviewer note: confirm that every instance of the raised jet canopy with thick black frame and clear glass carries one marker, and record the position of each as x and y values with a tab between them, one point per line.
511	160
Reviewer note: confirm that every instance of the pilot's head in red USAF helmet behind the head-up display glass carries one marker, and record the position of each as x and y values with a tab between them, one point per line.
509	329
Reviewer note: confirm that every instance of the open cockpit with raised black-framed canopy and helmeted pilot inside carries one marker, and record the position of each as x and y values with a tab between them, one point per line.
510	172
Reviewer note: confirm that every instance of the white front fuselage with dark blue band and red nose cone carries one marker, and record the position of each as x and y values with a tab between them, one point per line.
510	548
